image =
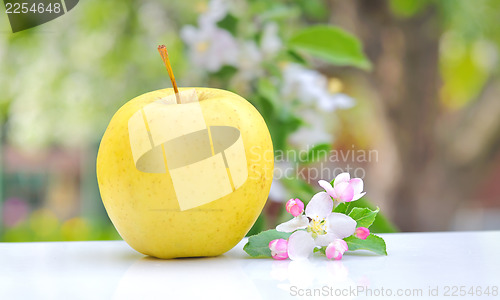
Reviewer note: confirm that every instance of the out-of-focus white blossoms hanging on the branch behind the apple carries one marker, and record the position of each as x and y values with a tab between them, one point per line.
211	47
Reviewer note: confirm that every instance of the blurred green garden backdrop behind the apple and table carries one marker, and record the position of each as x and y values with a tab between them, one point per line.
415	81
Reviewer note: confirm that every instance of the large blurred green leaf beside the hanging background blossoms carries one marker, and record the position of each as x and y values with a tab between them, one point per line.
331	44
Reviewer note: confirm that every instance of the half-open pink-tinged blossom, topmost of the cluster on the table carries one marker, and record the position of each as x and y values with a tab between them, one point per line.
344	188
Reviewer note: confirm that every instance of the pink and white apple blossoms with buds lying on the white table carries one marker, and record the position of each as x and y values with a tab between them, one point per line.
317	225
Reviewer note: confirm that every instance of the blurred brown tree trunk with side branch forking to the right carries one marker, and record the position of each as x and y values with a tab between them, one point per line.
437	169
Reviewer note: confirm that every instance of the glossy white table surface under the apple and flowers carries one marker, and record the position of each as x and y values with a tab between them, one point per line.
416	263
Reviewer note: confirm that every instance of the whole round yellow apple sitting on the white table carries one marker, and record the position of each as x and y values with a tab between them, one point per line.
169	193
